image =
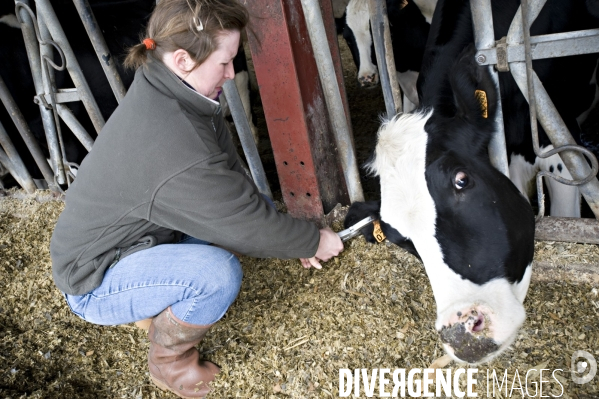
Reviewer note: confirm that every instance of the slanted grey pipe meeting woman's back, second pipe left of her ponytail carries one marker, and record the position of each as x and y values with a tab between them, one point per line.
53	24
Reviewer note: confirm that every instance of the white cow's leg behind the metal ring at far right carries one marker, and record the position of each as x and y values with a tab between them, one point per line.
565	200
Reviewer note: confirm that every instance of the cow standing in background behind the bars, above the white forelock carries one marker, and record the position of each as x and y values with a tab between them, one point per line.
409	23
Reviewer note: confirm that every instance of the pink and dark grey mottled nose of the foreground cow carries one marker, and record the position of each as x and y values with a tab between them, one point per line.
468	335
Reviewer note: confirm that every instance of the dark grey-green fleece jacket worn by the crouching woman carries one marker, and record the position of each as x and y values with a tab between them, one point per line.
165	163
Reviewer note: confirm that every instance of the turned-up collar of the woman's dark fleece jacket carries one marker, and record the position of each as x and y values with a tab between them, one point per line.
169	84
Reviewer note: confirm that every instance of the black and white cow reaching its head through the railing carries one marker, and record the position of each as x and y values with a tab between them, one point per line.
440	197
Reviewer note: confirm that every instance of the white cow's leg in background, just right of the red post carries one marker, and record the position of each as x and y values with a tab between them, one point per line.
358	20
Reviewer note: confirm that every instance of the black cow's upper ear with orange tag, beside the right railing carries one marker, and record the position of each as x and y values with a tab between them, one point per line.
474	90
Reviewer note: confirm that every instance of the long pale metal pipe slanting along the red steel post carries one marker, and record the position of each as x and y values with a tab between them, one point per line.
328	79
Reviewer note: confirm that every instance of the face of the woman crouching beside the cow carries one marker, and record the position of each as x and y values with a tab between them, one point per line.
208	78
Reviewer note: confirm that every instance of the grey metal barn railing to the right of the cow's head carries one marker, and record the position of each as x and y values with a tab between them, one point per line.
515	53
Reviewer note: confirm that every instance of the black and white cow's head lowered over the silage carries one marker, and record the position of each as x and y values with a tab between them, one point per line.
471	227
